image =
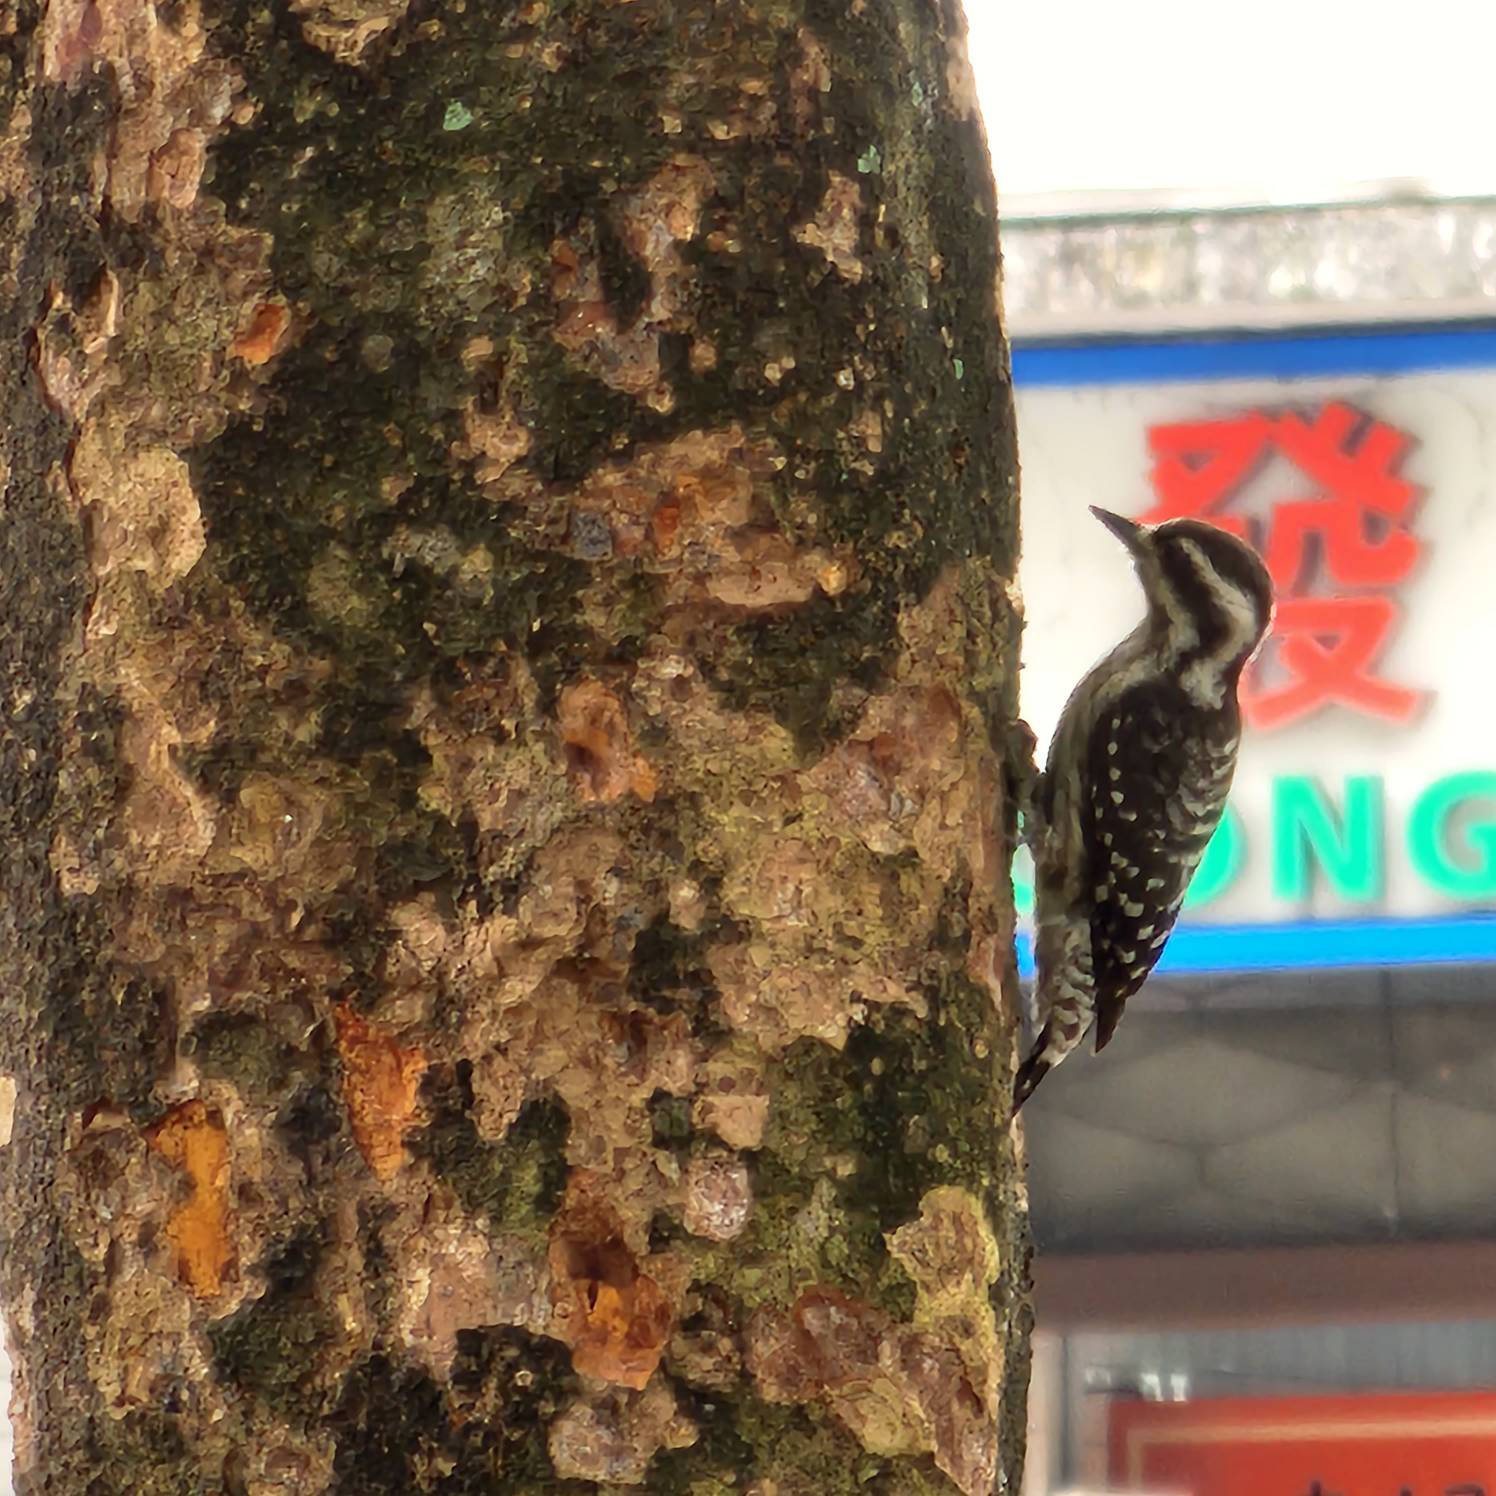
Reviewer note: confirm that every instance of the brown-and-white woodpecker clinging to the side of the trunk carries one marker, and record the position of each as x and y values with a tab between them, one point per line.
1136	780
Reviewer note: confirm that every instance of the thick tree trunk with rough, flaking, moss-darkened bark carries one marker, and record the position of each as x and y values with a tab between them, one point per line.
508	538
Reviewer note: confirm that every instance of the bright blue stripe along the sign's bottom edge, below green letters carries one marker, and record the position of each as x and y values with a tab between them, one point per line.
1299	948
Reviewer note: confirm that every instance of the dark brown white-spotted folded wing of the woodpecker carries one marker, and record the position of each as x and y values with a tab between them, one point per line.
1159	779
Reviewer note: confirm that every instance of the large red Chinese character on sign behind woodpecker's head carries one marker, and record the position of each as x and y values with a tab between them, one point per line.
1352	526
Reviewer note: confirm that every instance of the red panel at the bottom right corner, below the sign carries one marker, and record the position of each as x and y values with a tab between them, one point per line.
1371	1446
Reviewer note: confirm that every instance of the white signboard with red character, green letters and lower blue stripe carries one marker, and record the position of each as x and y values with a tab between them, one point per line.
1367	789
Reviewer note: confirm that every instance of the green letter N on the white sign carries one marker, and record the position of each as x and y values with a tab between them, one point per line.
1349	849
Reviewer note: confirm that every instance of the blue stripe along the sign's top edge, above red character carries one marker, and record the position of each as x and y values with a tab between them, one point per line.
1307	355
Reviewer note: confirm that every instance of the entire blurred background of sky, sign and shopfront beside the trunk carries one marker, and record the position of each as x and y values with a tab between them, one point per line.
1251	276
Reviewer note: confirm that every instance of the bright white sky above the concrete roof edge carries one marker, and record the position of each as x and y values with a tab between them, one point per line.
1278	96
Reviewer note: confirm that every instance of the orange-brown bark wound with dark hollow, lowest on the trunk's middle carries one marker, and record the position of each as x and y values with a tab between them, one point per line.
614	1317
